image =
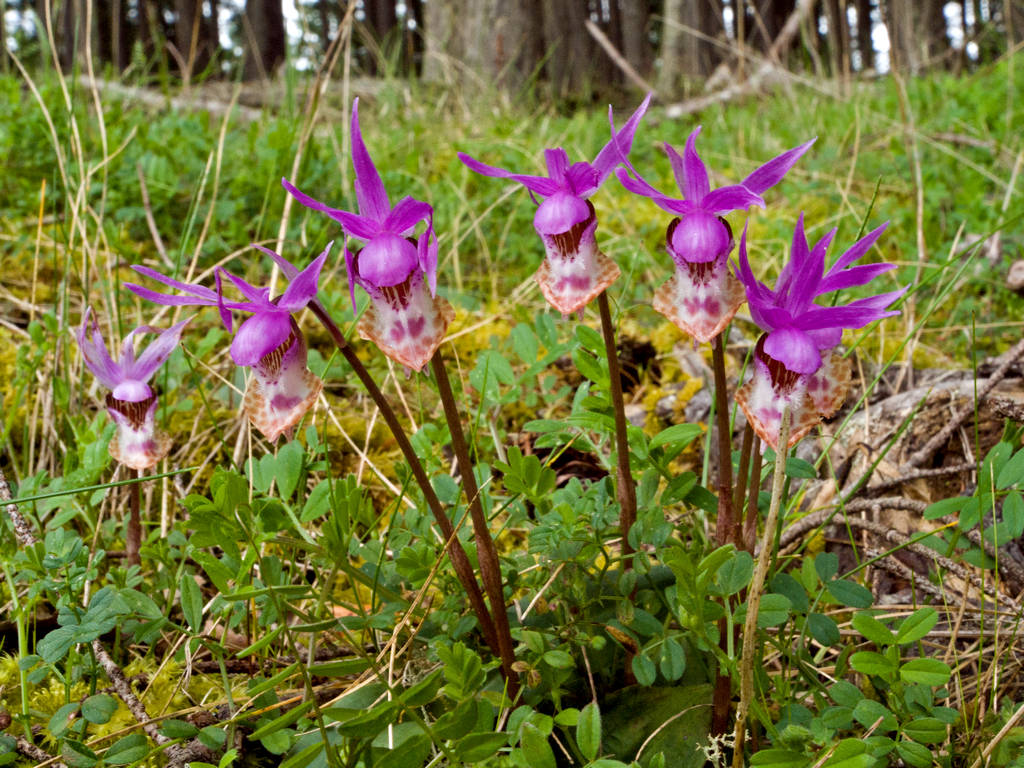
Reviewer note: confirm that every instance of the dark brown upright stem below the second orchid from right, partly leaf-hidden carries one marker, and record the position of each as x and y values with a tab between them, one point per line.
723	528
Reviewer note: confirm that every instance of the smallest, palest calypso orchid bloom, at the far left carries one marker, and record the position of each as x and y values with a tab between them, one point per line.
132	402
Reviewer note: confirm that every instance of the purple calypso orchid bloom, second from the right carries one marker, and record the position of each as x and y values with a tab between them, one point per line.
703	295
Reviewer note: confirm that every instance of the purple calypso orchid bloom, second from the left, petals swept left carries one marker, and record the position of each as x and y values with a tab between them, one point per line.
270	343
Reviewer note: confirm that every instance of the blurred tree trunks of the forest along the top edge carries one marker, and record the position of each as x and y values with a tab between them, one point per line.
568	50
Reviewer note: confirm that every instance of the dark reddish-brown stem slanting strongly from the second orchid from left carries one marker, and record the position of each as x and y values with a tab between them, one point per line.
460	562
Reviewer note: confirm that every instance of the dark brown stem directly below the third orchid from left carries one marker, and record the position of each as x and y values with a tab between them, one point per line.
491	570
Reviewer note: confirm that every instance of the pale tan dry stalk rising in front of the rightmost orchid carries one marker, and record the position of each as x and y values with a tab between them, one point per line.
757	588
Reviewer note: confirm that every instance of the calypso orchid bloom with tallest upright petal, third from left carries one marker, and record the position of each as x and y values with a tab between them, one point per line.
407	319
